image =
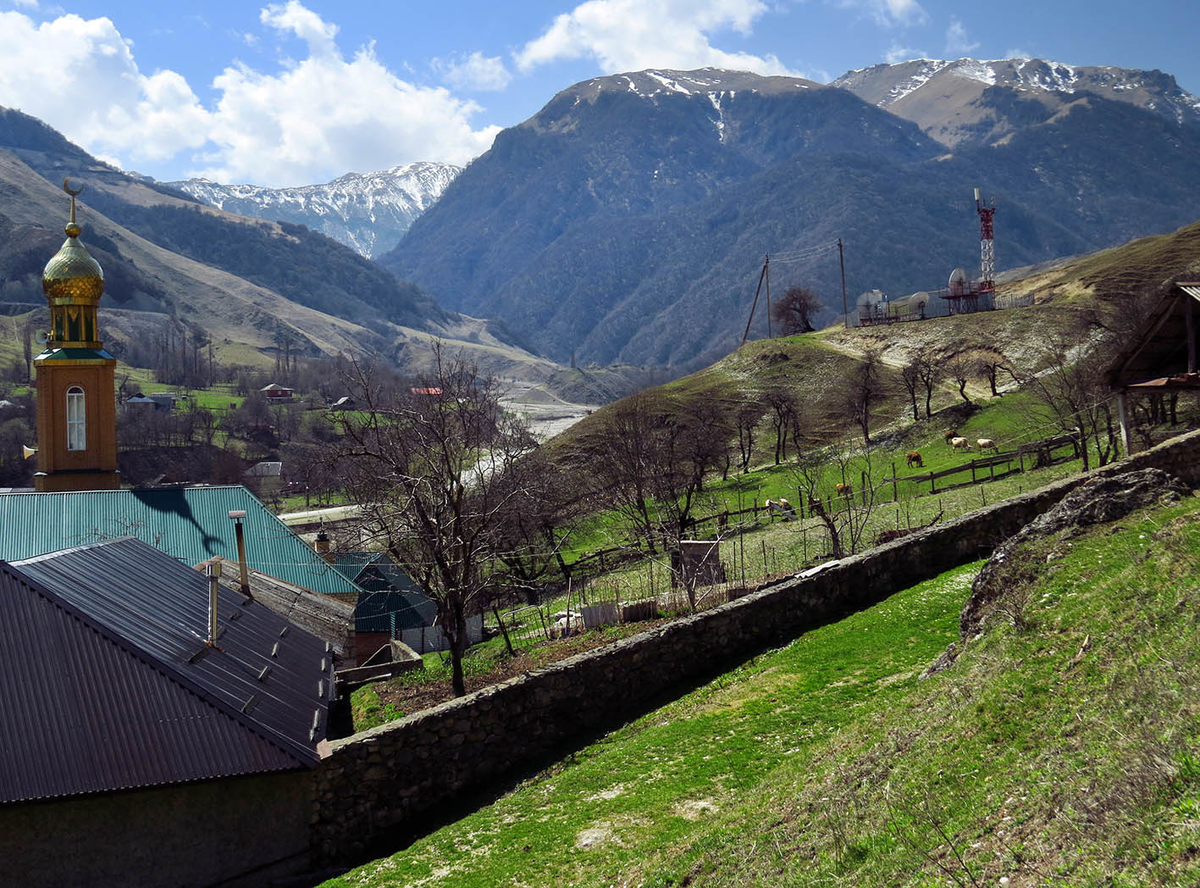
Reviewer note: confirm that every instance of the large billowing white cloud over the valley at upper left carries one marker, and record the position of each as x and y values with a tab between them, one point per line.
307	122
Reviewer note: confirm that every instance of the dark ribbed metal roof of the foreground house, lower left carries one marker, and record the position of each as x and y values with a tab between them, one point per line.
110	683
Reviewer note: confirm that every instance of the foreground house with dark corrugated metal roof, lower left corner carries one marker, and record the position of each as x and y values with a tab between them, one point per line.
140	752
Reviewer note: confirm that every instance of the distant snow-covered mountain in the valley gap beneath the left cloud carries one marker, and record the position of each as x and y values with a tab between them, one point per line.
367	212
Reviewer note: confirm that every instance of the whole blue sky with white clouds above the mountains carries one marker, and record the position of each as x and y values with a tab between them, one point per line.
302	92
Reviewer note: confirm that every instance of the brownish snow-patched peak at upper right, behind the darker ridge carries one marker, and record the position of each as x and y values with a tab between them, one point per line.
961	101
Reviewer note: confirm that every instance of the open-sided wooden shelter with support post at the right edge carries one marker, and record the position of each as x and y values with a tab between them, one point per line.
1161	357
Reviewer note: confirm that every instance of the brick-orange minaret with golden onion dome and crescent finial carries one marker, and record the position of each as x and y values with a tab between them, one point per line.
76	395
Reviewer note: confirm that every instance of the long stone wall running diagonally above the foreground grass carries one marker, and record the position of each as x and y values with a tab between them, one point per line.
380	782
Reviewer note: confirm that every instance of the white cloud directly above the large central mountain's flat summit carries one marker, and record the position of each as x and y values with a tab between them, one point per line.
629	35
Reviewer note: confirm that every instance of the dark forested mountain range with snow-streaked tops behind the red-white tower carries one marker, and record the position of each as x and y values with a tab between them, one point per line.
629	219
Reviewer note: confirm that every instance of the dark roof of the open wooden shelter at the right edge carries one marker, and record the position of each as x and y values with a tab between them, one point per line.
1159	351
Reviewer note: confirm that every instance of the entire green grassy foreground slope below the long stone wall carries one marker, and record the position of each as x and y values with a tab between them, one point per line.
1058	751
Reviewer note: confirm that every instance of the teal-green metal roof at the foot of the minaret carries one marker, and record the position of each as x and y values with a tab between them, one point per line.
191	524
